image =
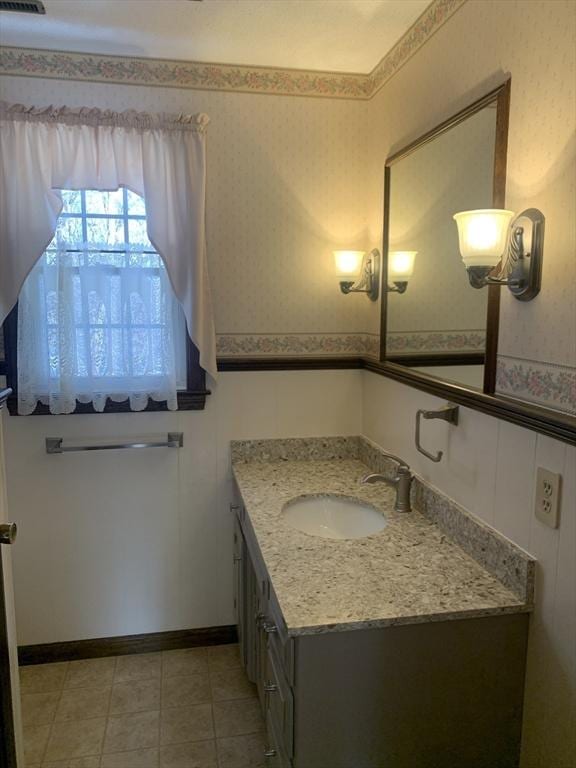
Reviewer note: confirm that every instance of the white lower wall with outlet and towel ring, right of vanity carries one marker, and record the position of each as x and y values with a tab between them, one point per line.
489	467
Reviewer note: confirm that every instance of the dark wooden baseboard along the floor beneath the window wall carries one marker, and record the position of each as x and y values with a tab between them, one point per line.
120	646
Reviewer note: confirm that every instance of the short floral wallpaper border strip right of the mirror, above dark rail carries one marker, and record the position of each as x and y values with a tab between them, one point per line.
546	384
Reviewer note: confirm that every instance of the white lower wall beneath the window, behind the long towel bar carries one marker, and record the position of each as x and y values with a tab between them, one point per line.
115	543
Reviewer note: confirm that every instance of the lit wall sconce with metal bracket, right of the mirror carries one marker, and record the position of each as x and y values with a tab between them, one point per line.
489	236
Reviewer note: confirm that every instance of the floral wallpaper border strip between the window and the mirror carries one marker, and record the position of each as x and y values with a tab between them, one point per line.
297	344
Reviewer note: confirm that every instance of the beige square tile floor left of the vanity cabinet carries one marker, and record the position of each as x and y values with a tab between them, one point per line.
192	708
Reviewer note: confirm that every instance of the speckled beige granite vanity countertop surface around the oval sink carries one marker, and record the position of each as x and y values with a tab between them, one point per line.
410	572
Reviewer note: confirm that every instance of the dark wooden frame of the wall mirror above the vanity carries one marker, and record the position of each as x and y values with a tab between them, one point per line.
501	97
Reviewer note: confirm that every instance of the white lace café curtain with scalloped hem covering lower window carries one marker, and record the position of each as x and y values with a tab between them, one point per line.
94	324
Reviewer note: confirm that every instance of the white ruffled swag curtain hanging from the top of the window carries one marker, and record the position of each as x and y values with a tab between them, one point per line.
160	157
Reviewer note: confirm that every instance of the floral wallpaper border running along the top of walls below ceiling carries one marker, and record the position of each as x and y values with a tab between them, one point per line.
62	65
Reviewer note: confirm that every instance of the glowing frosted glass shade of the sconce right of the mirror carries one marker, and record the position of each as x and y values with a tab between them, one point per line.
482	236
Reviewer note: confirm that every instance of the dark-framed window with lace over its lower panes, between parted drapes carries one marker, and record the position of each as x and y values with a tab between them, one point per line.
97	327
